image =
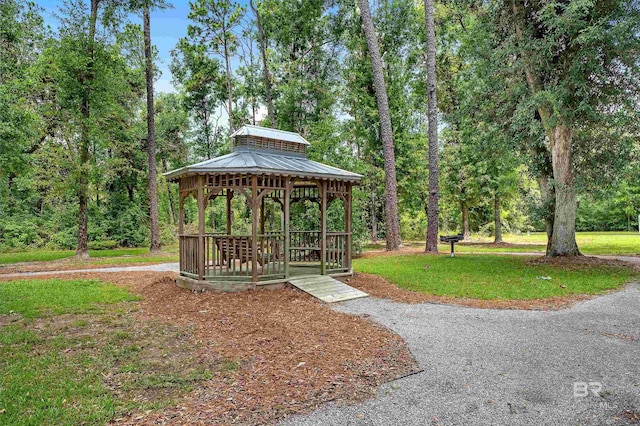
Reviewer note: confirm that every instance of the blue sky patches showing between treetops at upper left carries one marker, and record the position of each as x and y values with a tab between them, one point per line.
167	27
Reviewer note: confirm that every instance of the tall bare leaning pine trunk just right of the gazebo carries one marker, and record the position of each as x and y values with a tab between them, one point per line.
386	134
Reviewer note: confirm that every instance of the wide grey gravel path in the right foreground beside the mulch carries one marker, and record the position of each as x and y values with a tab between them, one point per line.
501	367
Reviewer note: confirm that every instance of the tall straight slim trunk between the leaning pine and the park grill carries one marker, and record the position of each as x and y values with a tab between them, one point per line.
432	106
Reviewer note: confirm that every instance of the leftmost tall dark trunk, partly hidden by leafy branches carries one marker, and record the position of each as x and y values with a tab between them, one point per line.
83	180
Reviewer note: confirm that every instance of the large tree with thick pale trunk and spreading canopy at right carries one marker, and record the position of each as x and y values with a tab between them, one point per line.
577	60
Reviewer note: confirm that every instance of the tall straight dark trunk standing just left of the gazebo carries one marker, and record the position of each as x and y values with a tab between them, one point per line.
155	246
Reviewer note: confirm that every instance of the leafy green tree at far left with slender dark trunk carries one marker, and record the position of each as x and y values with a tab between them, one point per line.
94	94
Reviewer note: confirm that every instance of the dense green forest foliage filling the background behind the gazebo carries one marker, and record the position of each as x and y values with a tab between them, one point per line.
492	136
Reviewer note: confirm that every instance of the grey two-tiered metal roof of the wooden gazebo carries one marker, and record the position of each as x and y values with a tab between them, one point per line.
256	160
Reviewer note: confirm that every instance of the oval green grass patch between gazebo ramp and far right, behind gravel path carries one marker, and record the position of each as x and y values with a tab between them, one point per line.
492	277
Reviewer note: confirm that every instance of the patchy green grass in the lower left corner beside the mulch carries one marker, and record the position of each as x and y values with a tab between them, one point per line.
71	352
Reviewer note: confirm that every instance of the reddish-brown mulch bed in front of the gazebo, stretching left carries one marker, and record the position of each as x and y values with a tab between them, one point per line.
289	353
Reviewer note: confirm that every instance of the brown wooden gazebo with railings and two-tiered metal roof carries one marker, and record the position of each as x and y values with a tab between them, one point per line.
265	166
